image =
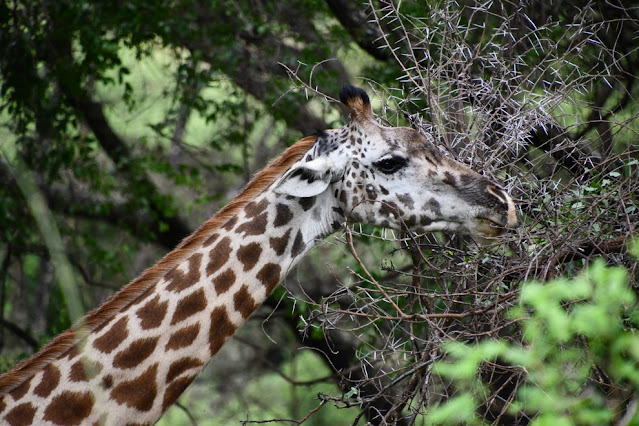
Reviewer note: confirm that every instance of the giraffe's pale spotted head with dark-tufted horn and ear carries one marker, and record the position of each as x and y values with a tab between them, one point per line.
395	177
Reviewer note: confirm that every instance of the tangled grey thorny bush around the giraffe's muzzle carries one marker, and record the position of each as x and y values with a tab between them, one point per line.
526	111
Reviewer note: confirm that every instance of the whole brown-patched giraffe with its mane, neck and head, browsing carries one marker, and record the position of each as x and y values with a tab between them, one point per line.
128	360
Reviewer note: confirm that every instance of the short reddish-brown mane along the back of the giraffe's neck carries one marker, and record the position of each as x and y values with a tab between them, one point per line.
92	321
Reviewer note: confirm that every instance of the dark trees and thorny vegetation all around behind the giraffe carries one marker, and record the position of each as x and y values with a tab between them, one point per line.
133	121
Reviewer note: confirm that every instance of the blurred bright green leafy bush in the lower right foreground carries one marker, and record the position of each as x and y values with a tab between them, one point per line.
579	335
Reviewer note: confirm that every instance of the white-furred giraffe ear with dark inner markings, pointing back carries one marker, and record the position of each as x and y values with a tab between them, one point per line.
306	179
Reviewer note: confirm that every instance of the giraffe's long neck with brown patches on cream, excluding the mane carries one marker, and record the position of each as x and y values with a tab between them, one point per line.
144	355
